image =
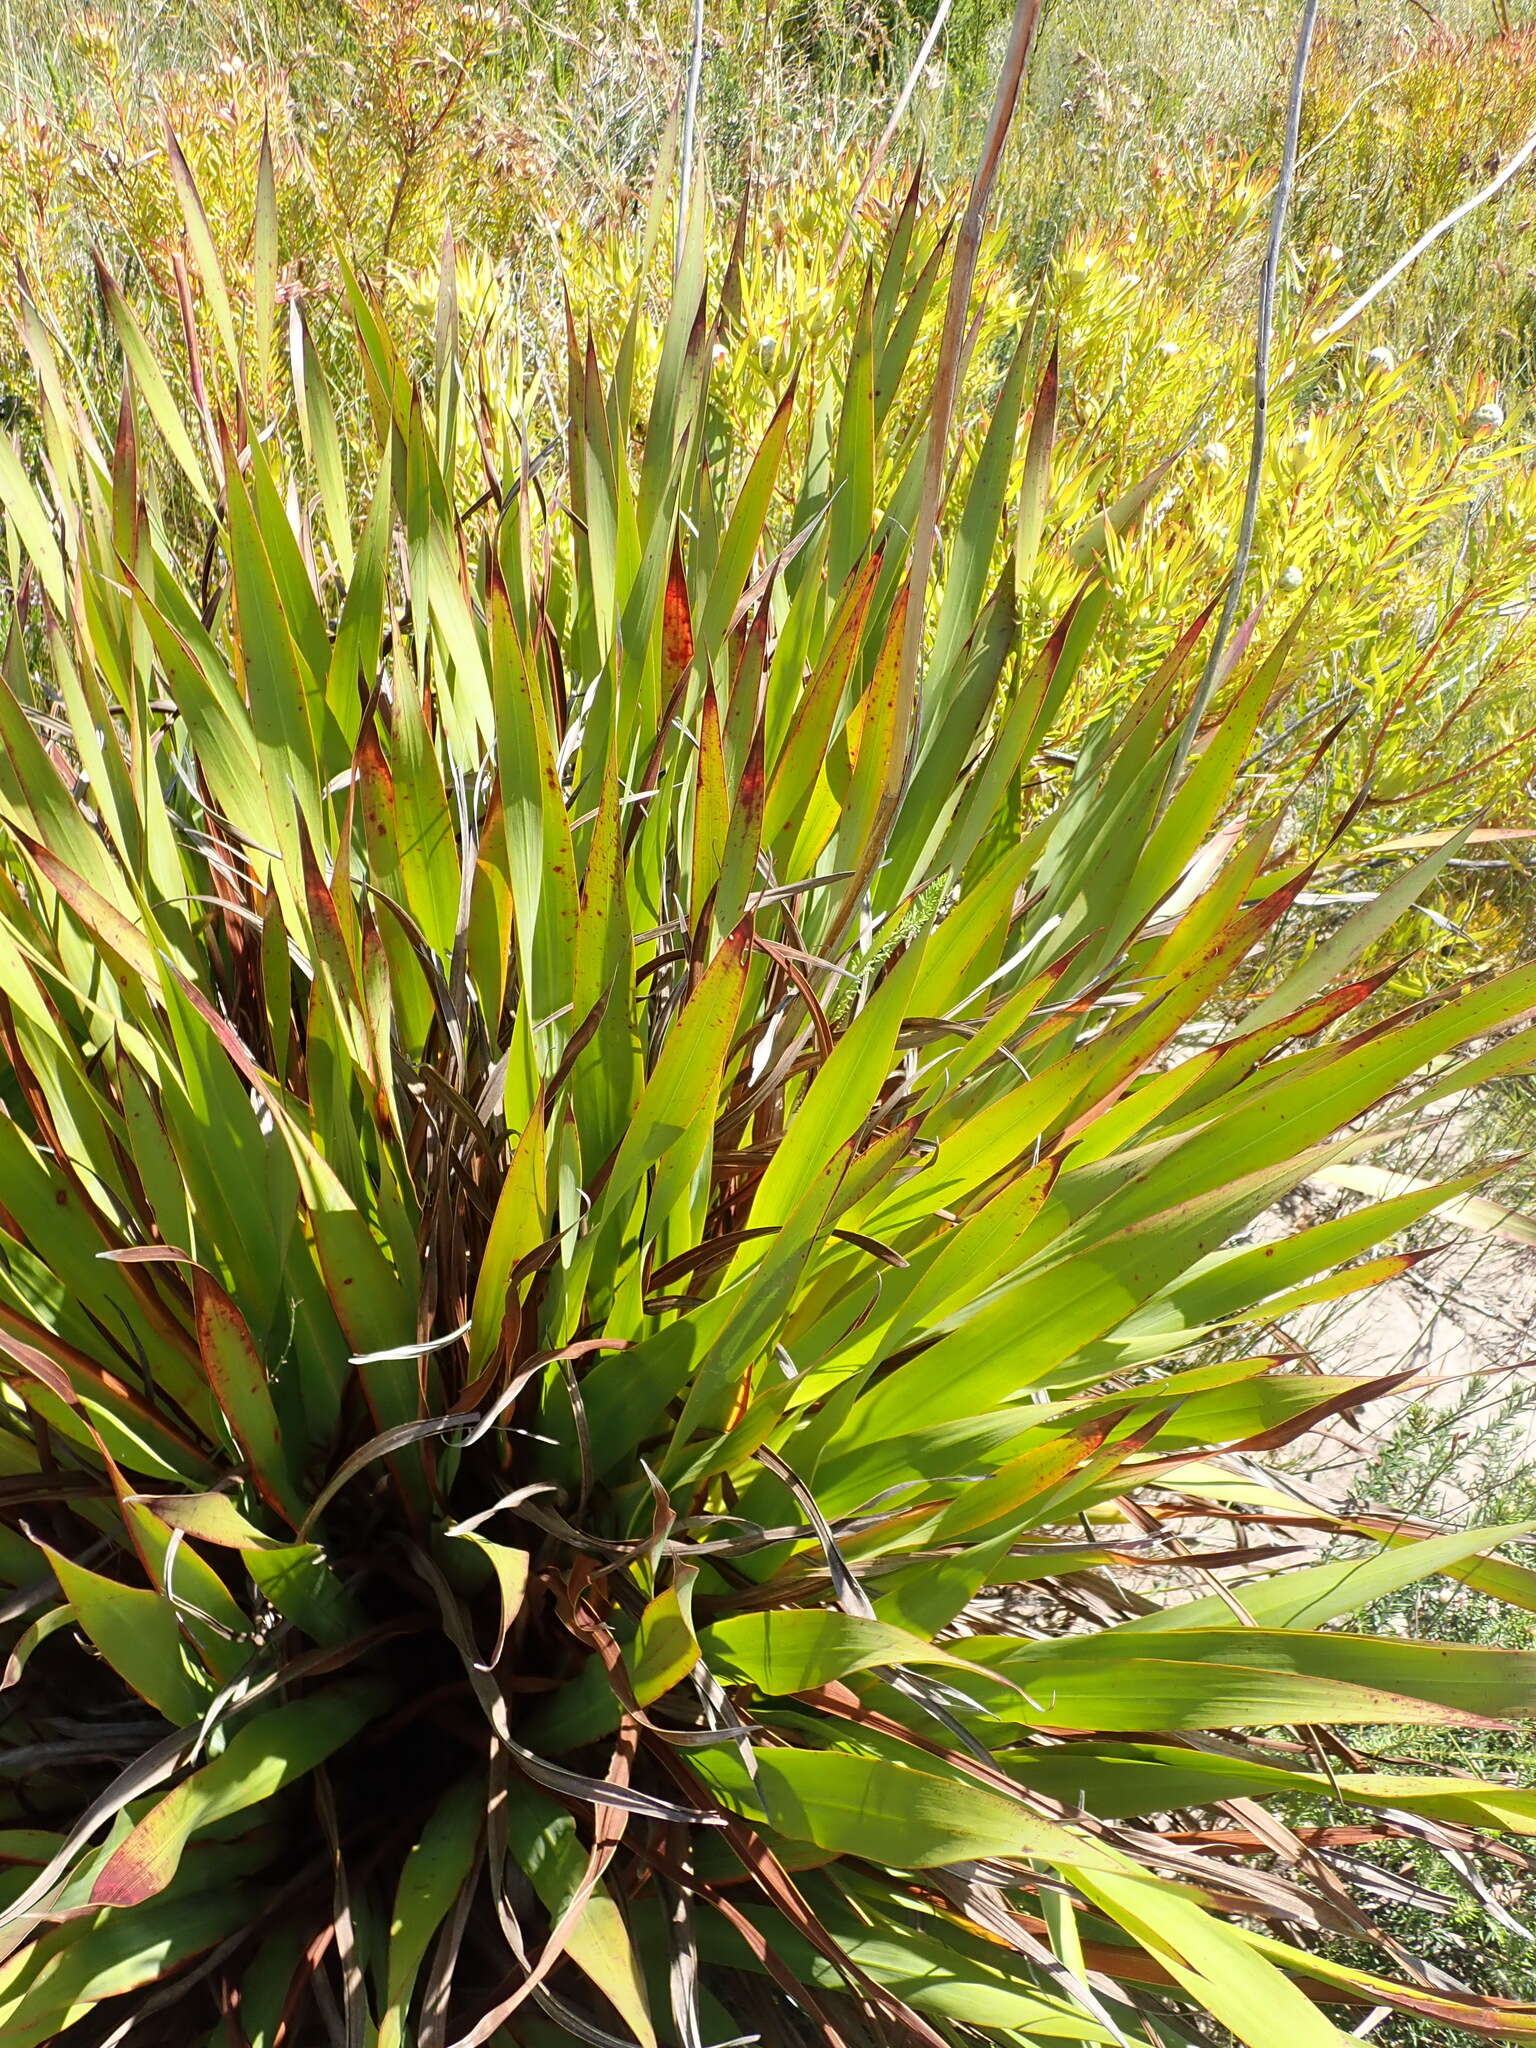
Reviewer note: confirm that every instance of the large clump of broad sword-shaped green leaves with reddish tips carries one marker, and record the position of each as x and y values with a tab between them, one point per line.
583	1170
